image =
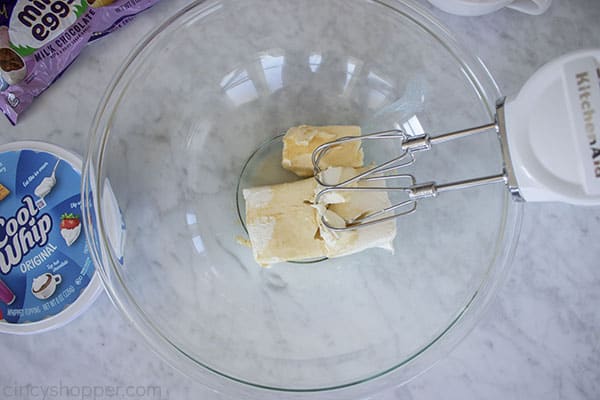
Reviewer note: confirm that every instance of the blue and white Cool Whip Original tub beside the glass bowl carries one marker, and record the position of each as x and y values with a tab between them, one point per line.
47	277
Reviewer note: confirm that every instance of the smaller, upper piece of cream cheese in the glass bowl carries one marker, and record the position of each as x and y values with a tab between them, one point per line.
299	143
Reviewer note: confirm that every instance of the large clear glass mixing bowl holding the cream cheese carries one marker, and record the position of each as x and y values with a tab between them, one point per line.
177	126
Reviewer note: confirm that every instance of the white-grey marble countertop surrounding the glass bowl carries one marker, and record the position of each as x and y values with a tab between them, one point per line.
540	336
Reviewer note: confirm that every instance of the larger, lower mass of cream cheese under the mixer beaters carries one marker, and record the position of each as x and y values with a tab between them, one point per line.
284	224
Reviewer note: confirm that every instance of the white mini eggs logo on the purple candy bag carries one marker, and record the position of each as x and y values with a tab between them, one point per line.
44	16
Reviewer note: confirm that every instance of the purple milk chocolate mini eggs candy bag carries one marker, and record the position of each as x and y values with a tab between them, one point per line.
39	39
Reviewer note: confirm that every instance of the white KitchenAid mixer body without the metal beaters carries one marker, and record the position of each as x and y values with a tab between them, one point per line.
552	131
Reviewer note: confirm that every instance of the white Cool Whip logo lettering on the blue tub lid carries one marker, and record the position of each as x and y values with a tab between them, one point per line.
21	233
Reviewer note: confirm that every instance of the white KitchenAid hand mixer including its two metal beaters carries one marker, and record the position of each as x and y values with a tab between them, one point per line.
549	135
